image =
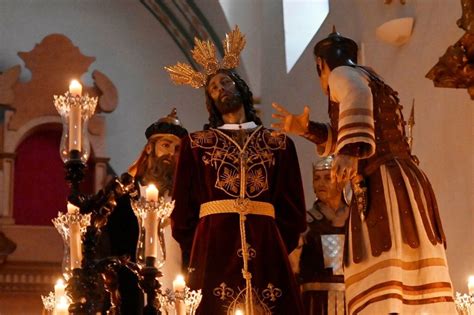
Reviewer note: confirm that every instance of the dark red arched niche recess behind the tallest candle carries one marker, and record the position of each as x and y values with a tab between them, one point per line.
39	188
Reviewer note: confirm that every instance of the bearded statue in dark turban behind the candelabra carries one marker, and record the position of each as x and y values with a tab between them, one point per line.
155	165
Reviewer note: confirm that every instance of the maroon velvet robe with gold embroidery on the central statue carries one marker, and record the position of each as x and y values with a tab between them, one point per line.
209	170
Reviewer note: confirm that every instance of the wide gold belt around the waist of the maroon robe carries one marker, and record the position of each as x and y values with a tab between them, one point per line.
240	206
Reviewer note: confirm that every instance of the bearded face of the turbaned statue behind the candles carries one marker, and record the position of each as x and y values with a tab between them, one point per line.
162	155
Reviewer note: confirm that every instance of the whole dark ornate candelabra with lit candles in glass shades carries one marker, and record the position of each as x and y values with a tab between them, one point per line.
88	278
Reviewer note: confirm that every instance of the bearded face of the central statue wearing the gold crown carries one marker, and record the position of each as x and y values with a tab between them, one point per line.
224	93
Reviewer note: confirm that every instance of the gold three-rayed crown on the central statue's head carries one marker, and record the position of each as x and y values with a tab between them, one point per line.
204	53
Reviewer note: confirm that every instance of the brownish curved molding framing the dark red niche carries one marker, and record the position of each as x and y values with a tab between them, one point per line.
25	107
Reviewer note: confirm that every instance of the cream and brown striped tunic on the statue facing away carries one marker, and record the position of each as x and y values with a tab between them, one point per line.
395	258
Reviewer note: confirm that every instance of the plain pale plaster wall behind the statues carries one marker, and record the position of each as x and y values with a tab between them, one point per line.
131	48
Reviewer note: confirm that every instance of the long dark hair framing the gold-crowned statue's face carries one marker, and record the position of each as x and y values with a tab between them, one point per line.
215	118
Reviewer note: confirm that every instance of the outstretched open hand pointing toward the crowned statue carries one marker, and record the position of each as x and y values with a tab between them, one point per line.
289	123
